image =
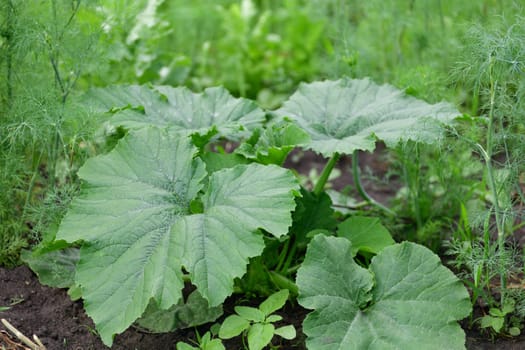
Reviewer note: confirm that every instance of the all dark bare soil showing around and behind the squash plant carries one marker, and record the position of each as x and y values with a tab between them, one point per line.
62	324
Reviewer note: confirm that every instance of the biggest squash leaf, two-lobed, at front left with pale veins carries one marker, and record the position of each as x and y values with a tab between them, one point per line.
133	216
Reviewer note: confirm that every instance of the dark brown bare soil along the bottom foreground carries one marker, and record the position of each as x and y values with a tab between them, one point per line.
62	324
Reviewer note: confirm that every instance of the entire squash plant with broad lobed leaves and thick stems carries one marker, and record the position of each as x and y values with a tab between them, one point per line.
163	210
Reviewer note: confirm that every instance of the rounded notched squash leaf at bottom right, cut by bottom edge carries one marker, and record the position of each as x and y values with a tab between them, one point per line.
407	300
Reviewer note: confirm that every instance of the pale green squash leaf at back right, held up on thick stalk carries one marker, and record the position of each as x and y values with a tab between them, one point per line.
346	115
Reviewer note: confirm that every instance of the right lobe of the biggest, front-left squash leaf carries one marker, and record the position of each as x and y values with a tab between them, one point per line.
218	243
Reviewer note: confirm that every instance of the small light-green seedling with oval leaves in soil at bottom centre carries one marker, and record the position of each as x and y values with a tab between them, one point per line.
256	324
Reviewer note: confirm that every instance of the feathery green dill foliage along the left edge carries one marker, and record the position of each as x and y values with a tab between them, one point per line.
46	49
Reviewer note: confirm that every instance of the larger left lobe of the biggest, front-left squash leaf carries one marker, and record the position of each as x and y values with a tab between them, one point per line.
129	200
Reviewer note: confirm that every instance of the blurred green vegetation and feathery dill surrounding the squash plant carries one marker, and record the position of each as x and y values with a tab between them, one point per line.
470	53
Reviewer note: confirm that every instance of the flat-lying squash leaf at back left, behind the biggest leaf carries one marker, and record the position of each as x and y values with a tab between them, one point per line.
213	110
